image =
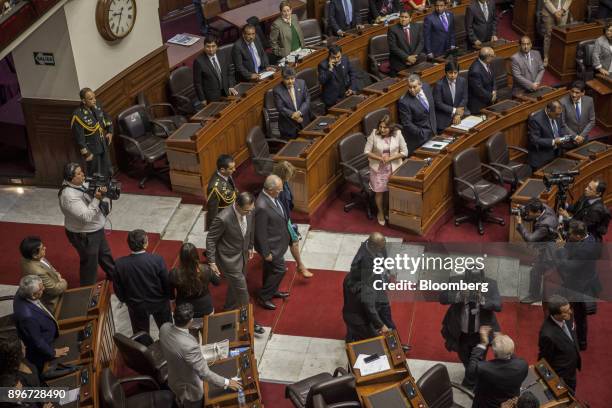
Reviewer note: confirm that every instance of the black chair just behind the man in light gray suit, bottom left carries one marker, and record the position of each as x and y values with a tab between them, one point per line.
143	355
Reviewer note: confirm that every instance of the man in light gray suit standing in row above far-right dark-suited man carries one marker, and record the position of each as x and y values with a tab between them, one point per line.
527	69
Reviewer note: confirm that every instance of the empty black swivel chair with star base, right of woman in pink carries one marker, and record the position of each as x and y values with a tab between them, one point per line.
476	193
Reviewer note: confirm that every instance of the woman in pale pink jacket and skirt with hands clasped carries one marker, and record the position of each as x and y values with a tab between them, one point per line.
385	149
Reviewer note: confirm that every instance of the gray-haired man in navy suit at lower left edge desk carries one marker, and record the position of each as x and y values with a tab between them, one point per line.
36	325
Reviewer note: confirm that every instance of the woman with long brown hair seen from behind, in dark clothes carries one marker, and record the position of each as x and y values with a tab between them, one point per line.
189	281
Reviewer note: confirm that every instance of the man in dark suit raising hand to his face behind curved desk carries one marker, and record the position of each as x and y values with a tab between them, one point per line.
337	77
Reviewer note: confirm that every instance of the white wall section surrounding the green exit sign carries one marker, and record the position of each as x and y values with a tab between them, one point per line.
42	81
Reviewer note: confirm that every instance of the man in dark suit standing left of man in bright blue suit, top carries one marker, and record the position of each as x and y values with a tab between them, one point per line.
405	43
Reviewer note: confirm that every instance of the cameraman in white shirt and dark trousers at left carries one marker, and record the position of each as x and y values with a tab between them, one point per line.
84	222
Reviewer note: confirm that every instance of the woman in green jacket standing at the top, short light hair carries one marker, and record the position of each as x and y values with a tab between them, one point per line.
285	34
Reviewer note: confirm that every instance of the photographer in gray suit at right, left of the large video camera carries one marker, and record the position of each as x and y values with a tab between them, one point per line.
544	230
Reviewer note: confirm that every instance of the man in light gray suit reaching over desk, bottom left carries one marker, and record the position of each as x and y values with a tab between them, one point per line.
187	367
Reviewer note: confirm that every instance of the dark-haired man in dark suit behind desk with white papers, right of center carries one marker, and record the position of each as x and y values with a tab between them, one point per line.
450	96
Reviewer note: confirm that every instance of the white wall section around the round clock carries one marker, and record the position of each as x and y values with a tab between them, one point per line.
98	60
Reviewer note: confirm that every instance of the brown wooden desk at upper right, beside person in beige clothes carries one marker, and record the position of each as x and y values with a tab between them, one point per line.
563	43
